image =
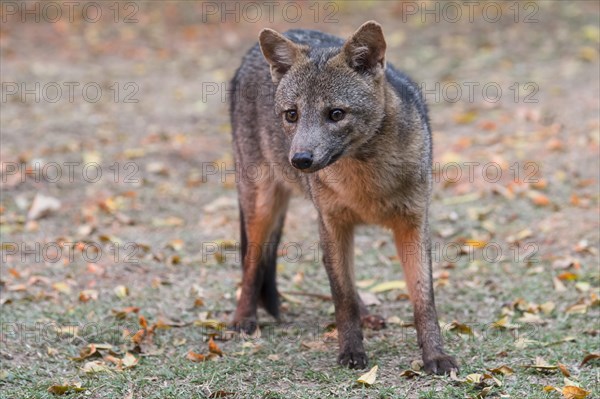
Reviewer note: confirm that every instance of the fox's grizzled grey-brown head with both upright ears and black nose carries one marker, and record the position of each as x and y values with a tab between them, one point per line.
330	99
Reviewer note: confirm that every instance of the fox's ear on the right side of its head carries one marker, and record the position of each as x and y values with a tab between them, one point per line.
365	49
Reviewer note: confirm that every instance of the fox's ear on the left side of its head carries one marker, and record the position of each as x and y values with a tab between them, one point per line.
280	52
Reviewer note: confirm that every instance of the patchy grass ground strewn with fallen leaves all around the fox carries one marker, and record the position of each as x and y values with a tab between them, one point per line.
176	231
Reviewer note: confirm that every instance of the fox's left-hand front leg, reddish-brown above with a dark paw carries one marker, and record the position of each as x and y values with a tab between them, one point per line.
337	241
